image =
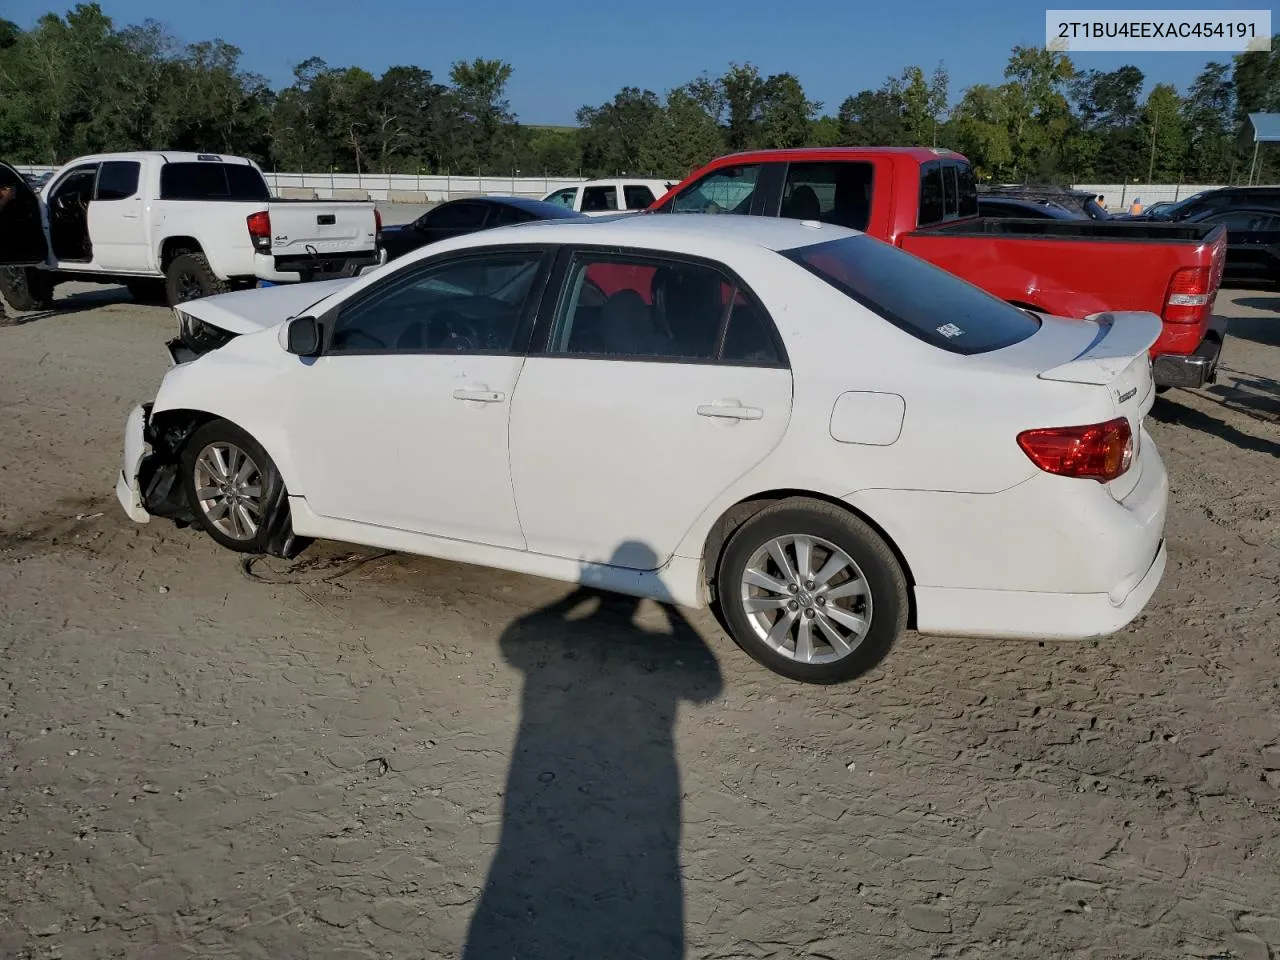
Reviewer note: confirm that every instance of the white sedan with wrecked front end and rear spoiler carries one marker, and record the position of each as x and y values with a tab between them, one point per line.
828	438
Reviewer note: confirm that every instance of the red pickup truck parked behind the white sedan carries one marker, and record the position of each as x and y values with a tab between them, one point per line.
926	202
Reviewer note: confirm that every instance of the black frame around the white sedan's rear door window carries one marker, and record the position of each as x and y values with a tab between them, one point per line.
557	290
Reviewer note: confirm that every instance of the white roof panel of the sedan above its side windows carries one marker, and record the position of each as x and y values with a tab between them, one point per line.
716	235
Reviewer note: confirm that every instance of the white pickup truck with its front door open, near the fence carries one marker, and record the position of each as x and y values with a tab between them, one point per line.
173	227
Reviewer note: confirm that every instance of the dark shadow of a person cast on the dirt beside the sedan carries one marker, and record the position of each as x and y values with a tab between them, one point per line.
588	863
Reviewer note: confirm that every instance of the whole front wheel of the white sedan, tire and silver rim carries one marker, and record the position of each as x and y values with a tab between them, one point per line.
236	492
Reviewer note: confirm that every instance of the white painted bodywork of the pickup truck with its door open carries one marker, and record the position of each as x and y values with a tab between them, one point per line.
136	236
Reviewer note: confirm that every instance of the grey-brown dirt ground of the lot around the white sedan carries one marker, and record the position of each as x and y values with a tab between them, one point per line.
364	757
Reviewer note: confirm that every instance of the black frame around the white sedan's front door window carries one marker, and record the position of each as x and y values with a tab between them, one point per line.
524	328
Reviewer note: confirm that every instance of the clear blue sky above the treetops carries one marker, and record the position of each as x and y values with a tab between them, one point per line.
577	53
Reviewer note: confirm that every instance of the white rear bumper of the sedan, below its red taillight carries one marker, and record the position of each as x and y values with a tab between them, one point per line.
1050	559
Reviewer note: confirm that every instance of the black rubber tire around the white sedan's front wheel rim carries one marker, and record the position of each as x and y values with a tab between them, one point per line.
275	529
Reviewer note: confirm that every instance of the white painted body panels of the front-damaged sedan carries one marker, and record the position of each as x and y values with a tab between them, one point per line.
615	473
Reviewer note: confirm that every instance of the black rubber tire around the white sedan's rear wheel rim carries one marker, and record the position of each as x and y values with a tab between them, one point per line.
881	572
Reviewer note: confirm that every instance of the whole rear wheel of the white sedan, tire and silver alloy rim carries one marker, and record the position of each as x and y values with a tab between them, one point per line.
812	592
